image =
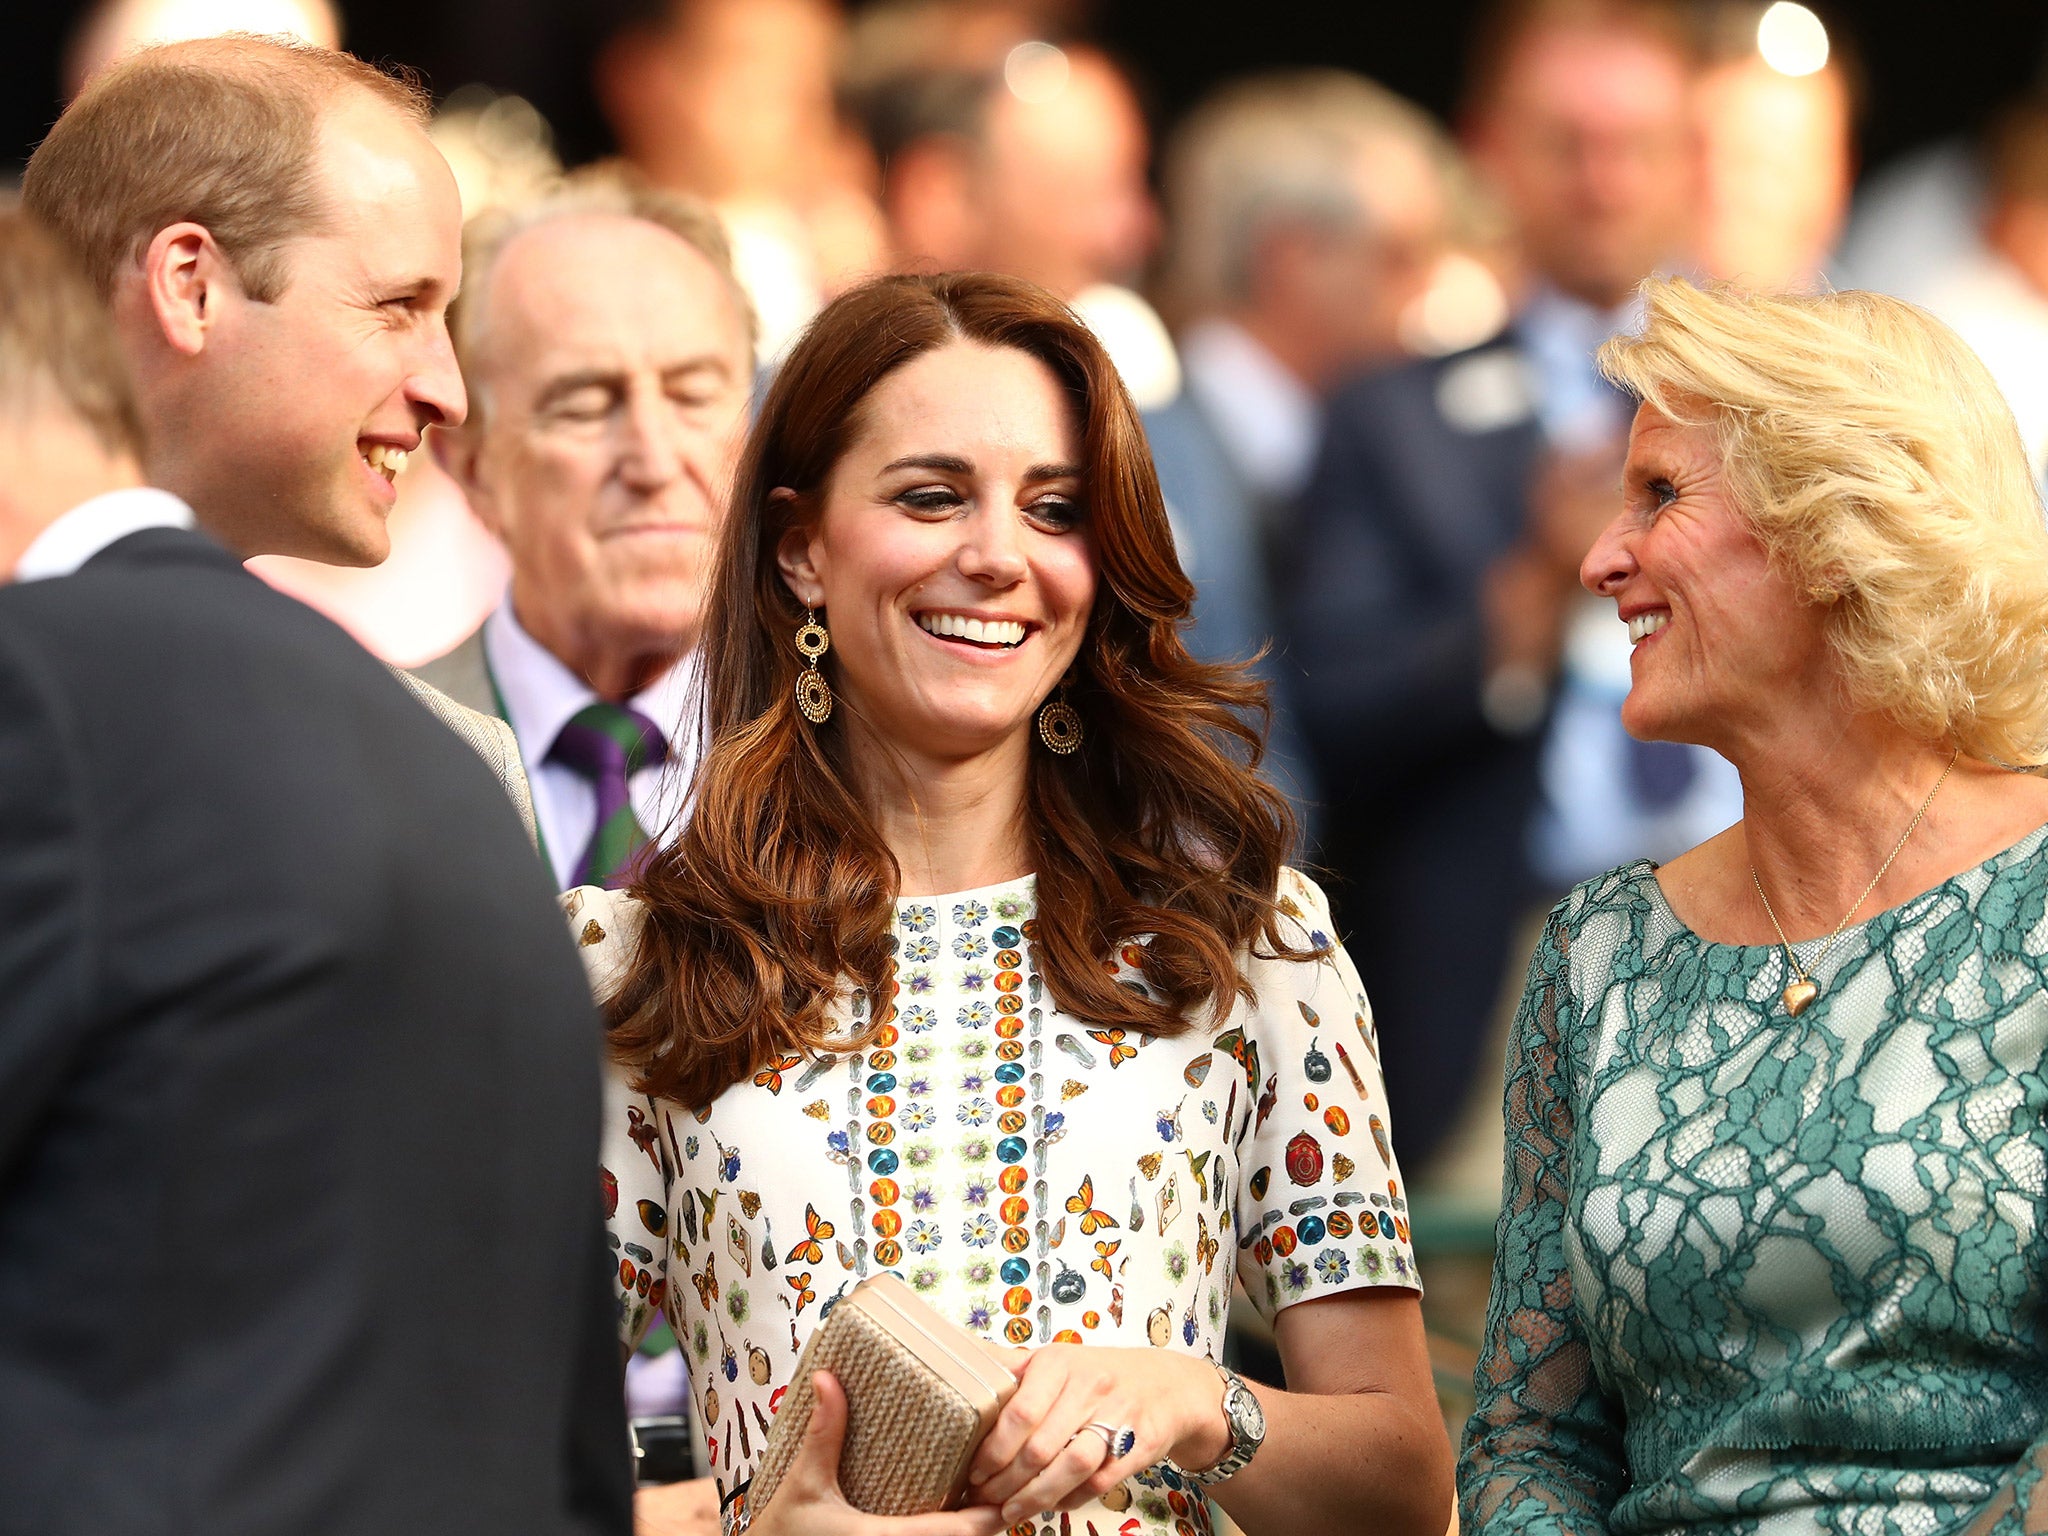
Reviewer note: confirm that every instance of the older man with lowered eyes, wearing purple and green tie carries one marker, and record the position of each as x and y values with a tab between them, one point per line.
611	361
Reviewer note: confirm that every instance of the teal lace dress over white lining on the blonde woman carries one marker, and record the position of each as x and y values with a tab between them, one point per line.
1775	1275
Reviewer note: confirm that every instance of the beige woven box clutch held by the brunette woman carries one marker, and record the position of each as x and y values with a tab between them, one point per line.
921	1396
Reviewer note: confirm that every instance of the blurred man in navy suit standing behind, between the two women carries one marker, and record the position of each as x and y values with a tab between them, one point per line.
1433	595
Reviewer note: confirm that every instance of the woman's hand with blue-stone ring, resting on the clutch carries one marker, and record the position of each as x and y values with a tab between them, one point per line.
1043	1455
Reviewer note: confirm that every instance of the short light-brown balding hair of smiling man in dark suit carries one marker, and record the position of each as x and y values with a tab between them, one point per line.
218	132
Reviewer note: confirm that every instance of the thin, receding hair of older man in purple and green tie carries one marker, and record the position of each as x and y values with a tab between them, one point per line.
607	189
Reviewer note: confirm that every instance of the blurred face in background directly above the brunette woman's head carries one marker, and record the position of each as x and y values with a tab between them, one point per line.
1060	191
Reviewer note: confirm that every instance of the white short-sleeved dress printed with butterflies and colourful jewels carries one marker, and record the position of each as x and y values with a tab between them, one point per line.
1031	1177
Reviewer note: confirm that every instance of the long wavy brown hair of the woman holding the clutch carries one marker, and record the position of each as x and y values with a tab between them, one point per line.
781	894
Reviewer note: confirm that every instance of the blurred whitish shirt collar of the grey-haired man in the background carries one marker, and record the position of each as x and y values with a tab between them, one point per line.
1267	417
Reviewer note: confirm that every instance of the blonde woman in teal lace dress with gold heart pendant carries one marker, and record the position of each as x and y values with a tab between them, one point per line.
1775	1254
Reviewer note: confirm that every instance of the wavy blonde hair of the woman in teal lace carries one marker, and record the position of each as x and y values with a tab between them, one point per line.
1883	472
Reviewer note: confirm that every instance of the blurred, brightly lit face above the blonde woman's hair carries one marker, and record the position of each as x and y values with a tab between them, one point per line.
1777	169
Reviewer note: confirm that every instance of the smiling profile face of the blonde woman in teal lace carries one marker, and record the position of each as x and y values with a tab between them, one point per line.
1719	636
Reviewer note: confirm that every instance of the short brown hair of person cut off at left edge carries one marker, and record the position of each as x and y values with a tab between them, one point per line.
56	341
